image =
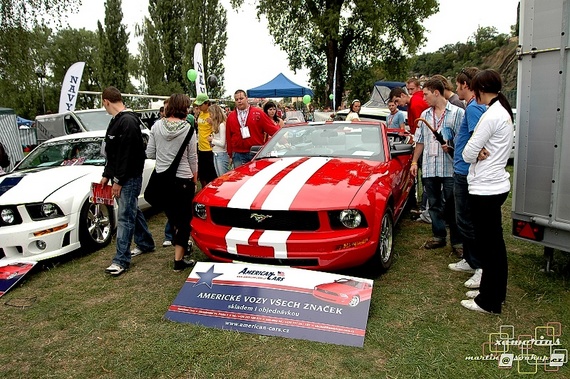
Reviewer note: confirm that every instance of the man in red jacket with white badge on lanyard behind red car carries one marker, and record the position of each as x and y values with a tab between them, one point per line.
246	126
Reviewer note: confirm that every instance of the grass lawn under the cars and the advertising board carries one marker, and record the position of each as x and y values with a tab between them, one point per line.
68	319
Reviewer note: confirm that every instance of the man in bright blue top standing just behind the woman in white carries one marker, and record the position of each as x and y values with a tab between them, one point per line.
471	262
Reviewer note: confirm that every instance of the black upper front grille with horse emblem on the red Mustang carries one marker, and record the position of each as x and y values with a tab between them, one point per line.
265	220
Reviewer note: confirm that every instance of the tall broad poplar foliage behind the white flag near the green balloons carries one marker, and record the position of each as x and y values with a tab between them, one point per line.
169	35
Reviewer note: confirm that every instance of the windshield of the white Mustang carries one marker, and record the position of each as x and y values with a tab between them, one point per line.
79	151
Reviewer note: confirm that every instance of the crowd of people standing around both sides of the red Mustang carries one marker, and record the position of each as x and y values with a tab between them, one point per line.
463	176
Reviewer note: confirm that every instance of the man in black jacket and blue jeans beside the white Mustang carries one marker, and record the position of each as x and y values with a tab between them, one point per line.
125	152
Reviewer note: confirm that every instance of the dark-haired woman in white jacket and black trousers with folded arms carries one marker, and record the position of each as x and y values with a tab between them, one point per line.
488	151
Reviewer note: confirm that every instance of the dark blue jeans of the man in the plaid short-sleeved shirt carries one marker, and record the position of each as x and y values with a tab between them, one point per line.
439	192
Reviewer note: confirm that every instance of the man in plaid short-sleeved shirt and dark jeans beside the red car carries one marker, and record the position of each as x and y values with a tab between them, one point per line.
437	168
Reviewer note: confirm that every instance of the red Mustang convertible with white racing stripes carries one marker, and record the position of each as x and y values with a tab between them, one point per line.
321	196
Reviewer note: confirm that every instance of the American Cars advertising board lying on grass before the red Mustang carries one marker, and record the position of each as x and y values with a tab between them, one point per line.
275	301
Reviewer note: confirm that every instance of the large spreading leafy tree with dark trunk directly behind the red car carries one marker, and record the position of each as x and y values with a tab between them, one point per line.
356	34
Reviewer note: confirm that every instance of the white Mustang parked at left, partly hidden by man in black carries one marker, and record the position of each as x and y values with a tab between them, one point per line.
44	202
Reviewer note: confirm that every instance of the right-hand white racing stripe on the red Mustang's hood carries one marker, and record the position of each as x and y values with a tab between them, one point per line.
285	191
